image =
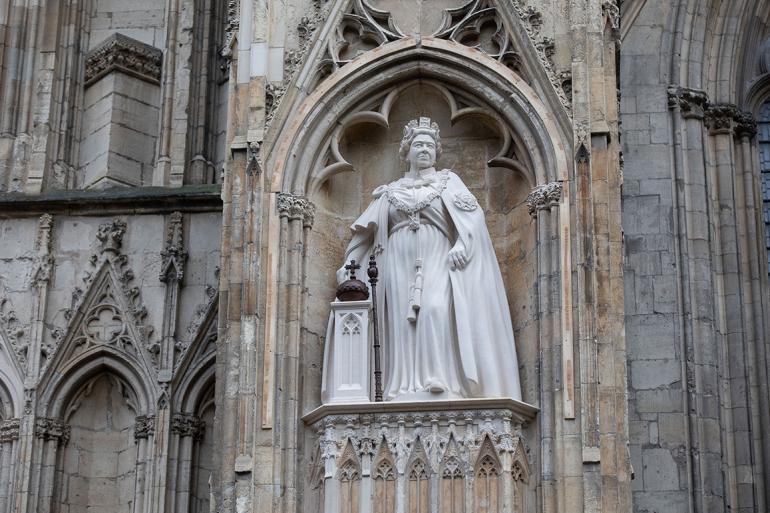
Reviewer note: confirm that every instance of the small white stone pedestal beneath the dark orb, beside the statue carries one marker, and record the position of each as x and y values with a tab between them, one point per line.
347	361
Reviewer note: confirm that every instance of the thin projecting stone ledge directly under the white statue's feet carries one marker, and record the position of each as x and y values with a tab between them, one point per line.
522	412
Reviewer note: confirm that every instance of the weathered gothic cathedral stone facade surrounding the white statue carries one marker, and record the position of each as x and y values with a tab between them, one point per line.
177	182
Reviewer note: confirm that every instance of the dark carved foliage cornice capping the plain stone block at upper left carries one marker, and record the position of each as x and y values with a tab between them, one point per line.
122	53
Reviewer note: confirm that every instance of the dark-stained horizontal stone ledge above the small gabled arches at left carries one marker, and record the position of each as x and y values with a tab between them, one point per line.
119	200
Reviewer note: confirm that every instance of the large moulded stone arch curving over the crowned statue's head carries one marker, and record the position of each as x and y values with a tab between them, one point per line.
518	105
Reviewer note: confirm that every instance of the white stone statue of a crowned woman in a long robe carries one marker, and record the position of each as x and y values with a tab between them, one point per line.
445	325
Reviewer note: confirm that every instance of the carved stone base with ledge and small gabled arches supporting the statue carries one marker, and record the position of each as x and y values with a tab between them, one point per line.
461	456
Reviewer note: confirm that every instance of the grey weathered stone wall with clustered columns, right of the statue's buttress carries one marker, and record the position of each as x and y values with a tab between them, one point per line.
695	282
